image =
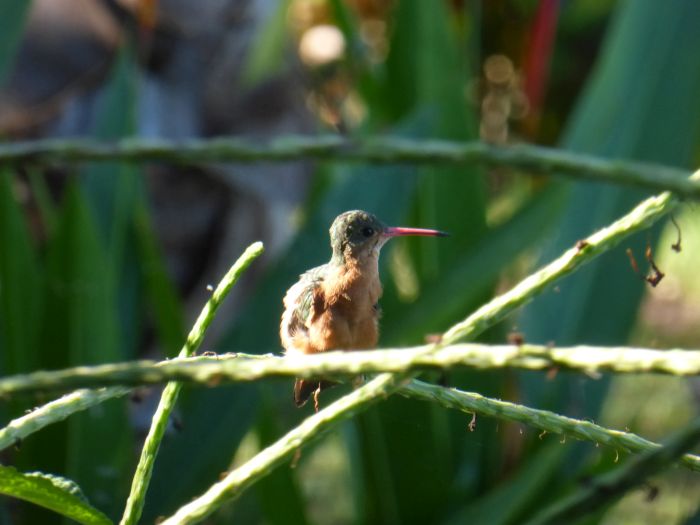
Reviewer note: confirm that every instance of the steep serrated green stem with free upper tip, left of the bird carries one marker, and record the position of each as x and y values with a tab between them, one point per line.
144	469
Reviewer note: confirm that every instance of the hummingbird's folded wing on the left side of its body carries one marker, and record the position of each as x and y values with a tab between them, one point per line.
298	308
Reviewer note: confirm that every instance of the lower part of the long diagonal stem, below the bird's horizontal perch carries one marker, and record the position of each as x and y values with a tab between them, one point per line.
236	481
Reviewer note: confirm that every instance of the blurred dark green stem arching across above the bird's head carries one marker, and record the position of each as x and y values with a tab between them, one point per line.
378	150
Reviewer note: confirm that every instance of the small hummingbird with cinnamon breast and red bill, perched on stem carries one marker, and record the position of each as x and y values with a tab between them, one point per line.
335	306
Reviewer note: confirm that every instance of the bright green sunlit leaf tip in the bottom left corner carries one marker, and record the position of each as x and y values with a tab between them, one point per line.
52	492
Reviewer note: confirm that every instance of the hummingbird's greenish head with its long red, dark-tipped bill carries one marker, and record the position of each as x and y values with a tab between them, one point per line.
359	235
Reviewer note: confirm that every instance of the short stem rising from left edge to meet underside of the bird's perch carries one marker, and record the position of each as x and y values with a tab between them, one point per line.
55	411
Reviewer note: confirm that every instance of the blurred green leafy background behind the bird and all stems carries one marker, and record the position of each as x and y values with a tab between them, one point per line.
109	262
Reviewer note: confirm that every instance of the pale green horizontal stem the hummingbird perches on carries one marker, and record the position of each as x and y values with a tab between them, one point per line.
212	370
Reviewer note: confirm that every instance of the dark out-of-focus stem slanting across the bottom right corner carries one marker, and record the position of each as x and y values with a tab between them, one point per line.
605	489
